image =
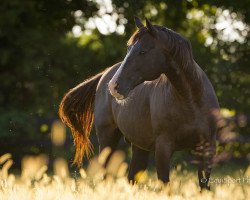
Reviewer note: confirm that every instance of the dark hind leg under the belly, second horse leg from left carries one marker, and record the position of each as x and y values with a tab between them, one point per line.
138	162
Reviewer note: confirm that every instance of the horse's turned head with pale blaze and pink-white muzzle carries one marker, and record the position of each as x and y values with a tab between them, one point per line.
145	60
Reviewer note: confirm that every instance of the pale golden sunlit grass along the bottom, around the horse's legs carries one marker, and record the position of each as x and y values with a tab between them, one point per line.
35	184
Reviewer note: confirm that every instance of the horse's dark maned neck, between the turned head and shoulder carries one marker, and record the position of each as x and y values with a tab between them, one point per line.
183	72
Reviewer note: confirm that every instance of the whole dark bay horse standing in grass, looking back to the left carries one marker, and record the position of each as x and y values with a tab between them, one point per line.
158	98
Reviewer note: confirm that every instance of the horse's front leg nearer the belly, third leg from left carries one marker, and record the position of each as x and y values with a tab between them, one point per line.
163	152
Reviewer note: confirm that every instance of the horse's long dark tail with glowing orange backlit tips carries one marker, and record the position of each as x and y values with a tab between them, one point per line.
76	110
